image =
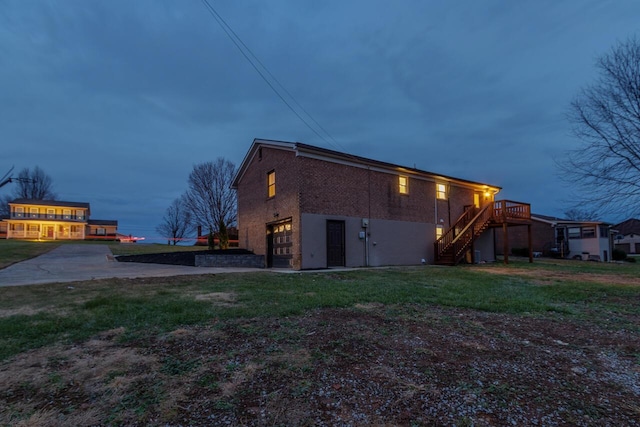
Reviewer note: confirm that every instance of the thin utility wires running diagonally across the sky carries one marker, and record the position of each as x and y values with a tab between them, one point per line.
246	52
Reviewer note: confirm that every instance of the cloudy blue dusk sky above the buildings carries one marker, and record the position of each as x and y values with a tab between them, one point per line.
118	100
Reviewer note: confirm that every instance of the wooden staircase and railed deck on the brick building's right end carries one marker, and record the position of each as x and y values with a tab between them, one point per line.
453	245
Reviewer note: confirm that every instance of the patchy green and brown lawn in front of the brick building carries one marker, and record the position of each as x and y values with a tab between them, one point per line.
549	343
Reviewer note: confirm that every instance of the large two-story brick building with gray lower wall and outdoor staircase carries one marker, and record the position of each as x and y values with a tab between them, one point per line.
306	207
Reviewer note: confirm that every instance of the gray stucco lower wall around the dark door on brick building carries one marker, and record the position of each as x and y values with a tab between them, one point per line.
390	242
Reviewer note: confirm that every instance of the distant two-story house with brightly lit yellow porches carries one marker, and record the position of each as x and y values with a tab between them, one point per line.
55	220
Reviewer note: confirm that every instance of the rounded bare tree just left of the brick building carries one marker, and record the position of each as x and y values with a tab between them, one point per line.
212	202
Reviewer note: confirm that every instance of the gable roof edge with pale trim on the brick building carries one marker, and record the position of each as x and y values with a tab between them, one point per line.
311	151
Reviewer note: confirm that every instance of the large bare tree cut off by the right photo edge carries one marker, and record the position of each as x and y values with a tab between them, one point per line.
606	118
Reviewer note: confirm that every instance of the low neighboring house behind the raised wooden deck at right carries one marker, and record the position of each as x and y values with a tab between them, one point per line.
563	238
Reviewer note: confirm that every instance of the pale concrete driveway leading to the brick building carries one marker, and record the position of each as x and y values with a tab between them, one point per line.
72	263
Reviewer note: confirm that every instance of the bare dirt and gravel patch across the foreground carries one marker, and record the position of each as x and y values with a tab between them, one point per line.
371	365
